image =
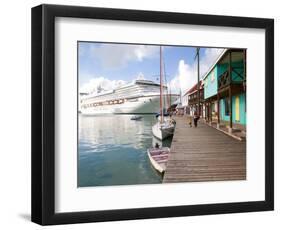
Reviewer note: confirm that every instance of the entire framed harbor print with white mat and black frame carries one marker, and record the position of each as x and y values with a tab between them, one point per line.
142	114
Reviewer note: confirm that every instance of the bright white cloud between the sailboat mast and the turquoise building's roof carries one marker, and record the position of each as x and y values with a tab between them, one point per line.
187	74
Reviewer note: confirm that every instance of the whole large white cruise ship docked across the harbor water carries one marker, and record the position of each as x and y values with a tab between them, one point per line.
137	97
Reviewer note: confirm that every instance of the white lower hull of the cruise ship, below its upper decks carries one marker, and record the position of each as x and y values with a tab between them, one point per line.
140	105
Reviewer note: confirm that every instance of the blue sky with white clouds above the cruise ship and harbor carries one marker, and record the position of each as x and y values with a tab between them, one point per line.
109	65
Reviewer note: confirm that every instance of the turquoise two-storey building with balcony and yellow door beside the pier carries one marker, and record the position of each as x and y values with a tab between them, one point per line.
225	89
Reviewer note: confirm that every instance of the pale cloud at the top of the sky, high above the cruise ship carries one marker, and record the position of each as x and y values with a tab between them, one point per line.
119	55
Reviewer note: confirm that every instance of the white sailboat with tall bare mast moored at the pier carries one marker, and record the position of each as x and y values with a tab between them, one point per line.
164	127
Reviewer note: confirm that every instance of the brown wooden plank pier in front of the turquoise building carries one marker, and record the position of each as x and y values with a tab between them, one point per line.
204	154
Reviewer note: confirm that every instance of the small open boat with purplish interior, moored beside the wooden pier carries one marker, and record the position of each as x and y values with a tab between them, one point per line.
159	158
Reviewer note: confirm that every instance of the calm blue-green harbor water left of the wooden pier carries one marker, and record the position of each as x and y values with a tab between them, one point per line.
112	150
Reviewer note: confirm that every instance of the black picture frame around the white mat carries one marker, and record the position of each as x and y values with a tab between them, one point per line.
43	114
